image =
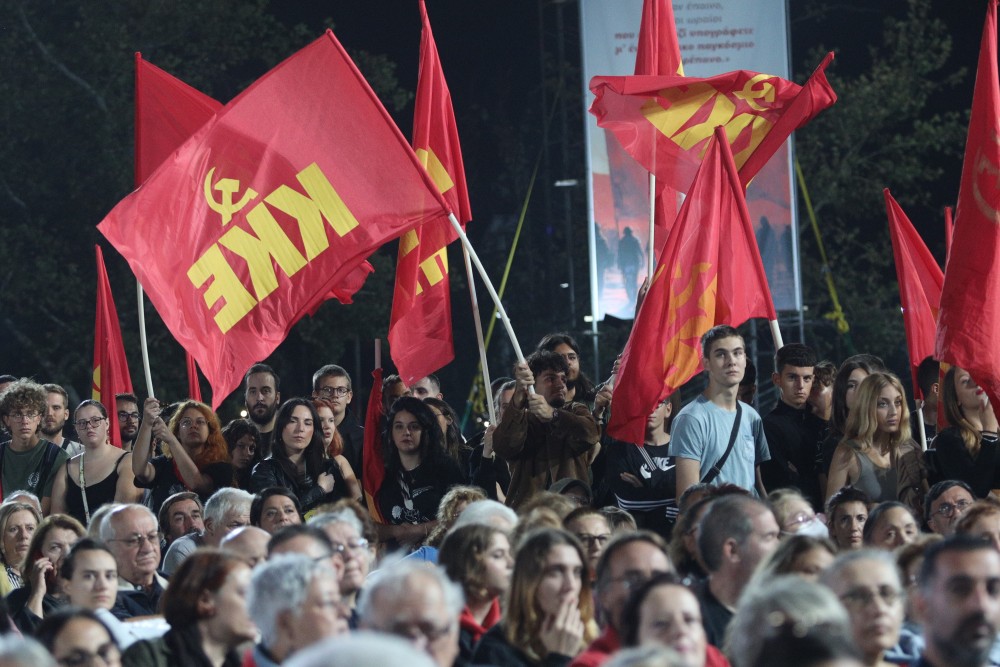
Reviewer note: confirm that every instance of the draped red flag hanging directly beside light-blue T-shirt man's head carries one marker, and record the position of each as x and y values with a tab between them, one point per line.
709	273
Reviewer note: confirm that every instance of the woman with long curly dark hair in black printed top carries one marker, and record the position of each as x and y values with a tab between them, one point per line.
418	472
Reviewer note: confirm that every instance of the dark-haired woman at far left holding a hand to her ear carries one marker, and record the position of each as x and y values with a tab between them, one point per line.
42	593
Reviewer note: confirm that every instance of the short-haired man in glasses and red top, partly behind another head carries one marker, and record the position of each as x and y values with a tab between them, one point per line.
628	561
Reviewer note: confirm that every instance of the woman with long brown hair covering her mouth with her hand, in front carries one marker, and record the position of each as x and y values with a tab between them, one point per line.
548	617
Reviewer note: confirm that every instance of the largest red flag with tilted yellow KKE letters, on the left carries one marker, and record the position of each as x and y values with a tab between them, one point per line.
268	206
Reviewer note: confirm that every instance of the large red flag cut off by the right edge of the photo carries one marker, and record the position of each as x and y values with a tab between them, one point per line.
968	332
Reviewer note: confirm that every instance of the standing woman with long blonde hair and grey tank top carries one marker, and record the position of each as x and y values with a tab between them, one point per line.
877	454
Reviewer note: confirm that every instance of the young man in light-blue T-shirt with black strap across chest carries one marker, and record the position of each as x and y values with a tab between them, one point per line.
702	431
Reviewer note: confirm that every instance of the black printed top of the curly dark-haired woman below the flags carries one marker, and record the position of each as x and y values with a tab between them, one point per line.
413	496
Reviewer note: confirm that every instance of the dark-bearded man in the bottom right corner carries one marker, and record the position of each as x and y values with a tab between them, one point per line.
958	602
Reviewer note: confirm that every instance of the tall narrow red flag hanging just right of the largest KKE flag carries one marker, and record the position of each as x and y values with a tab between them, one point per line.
420	337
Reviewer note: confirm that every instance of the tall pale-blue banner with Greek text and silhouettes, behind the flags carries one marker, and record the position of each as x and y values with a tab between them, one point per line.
714	38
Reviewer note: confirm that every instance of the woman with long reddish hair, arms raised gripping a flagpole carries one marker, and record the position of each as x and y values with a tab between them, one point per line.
195	455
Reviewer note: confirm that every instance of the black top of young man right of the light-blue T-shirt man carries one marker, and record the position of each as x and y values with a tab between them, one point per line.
793	437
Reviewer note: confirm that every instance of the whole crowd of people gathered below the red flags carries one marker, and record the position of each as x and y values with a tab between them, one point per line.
840	529
